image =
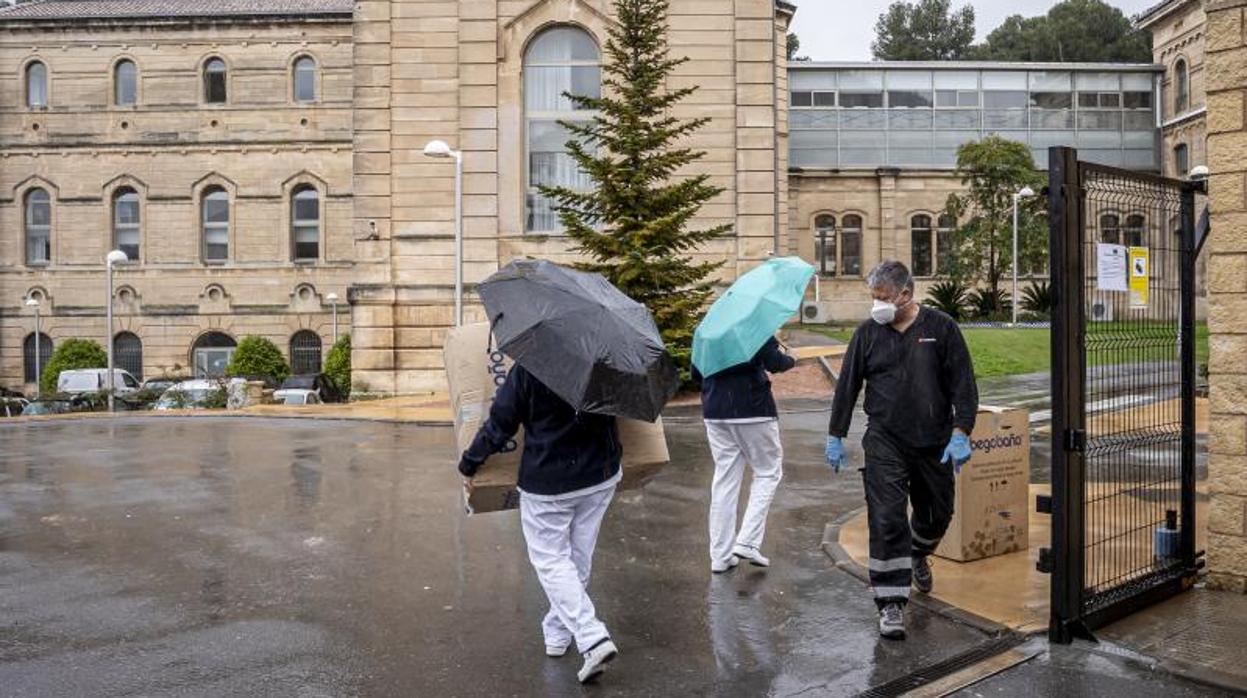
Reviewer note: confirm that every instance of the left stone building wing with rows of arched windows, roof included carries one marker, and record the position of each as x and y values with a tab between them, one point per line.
210	141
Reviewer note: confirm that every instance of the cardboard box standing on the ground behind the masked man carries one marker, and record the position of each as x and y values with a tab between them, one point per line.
992	513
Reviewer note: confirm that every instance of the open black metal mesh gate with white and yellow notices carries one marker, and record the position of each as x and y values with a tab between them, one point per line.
1124	370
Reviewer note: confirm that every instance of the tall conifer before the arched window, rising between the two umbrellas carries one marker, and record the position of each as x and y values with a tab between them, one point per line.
635	226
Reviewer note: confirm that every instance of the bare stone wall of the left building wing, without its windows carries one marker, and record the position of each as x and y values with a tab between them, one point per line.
169	148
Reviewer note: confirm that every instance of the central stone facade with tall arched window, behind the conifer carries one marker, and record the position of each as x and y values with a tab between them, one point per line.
486	77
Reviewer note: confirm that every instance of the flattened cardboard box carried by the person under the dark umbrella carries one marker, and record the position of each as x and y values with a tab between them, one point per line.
474	372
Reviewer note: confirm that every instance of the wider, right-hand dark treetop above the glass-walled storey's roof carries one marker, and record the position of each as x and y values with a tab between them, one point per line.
1072	32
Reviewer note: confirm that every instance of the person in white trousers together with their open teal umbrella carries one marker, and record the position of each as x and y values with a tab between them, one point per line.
735	350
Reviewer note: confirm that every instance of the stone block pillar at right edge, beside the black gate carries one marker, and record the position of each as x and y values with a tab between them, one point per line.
1228	159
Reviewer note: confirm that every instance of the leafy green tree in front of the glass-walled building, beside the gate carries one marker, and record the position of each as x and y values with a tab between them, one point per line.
992	171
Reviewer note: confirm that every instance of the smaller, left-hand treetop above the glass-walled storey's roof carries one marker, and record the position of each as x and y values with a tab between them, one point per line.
926	31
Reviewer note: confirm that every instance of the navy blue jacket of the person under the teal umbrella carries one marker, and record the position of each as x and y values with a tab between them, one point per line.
744	392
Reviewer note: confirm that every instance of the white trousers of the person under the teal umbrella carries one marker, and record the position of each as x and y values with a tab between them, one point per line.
734	446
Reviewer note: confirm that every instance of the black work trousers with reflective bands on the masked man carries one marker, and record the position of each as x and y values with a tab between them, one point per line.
896	478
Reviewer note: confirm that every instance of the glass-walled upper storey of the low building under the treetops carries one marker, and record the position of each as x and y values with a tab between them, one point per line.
915	115
